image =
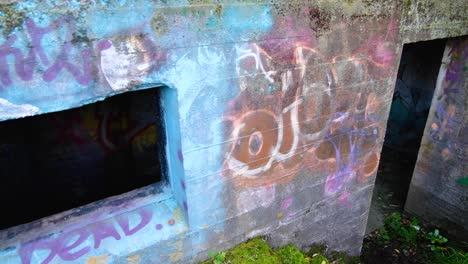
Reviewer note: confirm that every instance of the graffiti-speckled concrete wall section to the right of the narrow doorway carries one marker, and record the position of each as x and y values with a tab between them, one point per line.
437	191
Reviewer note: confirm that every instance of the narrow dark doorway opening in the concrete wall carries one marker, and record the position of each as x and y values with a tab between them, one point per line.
414	88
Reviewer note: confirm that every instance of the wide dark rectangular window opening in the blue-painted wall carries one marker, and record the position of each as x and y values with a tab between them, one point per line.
54	162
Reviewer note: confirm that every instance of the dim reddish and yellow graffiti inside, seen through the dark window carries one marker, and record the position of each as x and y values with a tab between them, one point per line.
112	124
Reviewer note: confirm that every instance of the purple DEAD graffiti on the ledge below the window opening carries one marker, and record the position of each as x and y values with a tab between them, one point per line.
72	245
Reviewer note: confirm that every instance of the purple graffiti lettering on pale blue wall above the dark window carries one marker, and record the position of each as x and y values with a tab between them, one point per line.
70	58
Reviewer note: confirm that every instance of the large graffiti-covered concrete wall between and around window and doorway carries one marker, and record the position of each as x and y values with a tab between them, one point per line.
278	112
